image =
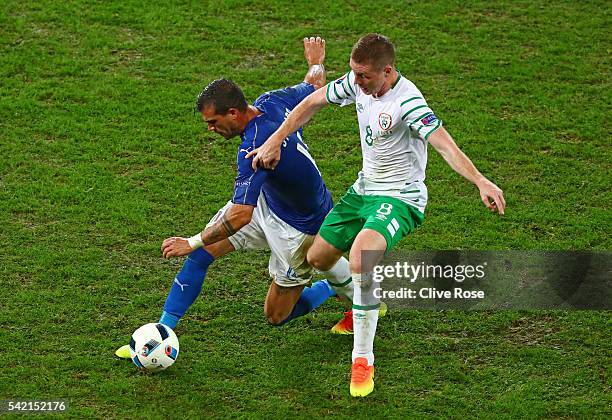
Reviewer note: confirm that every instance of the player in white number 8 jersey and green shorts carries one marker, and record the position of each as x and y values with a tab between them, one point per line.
388	199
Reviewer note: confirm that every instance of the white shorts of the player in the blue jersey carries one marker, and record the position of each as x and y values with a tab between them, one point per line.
287	266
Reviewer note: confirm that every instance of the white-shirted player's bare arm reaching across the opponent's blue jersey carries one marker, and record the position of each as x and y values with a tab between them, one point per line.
268	154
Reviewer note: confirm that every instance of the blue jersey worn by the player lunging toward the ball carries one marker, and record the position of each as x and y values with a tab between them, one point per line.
294	190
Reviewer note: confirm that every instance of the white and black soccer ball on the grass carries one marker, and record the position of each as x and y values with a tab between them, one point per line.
154	347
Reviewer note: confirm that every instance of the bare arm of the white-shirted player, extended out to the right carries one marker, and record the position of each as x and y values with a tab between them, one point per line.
491	195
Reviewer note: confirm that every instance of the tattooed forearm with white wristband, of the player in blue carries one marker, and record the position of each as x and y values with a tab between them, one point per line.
237	216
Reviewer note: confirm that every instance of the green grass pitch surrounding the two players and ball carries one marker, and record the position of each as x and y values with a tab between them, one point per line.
101	158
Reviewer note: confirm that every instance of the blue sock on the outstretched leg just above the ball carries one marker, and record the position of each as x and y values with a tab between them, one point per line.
186	287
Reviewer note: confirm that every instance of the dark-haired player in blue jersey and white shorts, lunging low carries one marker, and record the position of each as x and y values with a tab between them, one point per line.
280	209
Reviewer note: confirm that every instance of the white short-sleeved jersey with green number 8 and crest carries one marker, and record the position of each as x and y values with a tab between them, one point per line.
394	130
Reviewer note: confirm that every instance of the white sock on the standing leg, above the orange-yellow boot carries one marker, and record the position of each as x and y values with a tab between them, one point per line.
365	316
